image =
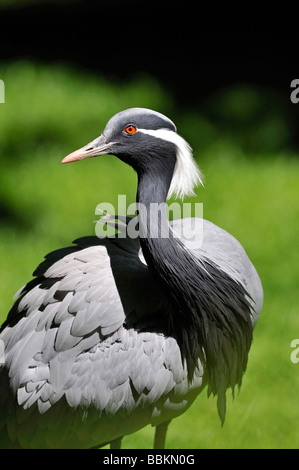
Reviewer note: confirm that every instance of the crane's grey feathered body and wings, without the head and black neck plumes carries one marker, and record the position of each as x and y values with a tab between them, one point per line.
86	358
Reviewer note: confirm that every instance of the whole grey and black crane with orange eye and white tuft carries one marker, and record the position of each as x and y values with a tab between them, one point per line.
113	334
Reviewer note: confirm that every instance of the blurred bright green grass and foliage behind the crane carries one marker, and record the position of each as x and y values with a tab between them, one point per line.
242	140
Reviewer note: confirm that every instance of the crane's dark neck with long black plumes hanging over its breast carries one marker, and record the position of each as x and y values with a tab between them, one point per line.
211	315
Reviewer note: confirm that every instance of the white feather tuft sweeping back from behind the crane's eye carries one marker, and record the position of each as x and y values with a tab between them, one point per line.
186	175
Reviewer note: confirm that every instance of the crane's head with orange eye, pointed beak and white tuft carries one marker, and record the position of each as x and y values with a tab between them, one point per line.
146	140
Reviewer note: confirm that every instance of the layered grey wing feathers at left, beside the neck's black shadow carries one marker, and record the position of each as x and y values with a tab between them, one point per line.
68	309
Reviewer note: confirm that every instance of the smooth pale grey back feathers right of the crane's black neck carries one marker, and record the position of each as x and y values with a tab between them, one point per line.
209	241
